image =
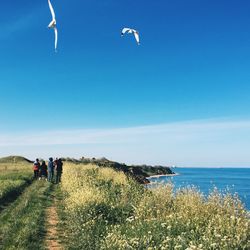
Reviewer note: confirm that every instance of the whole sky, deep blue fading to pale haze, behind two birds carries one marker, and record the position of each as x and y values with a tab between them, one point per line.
192	66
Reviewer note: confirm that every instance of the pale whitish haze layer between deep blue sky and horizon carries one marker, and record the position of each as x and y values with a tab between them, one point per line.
191	143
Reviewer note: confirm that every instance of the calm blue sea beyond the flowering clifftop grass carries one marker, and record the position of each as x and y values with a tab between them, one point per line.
237	180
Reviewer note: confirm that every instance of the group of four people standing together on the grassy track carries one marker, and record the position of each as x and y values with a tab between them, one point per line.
43	171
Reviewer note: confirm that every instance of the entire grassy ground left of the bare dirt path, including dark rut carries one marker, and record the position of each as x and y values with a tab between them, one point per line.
22	206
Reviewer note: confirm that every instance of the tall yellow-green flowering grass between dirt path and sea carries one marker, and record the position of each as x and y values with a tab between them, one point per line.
103	209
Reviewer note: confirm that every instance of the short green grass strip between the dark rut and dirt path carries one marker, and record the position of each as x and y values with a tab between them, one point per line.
22	223
